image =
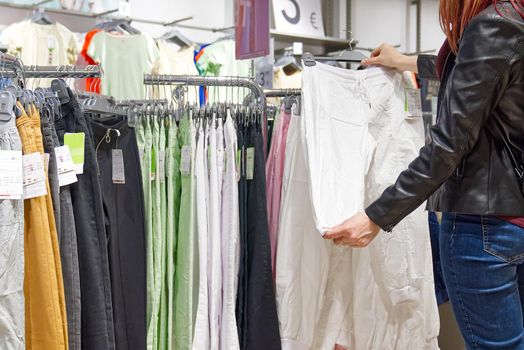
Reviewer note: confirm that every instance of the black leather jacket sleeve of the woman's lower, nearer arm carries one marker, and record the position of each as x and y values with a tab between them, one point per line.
475	86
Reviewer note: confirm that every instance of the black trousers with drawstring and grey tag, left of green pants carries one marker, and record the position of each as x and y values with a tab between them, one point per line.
125	225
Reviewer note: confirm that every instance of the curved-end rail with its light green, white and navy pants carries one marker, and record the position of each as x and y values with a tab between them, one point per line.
216	286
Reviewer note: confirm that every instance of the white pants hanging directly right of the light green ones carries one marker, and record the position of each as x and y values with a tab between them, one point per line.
201	337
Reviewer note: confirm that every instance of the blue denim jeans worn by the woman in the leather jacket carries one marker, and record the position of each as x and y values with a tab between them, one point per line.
482	262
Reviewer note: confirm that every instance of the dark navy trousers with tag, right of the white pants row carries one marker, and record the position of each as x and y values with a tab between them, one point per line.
256	304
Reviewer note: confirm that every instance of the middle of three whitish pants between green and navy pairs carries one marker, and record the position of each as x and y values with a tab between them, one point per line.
215	239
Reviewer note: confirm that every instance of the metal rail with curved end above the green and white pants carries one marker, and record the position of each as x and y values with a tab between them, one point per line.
252	85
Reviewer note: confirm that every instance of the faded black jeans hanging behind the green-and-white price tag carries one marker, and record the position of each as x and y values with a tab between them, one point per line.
95	284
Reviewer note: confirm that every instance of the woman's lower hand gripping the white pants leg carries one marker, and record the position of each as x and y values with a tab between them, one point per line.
357	231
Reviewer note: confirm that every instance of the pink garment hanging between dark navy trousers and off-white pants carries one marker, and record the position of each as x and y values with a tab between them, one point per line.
274	174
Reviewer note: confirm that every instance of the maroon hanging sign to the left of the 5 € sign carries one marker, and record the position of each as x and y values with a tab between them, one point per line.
252	28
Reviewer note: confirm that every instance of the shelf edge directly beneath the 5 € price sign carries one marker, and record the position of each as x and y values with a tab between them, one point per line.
313	44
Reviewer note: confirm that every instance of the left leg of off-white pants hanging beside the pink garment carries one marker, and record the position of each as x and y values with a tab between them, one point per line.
302	256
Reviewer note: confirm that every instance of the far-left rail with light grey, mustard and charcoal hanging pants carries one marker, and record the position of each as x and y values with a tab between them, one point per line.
39	222
